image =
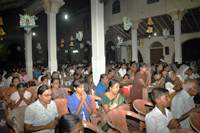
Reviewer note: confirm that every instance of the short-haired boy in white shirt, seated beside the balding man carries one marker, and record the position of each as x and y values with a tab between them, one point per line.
160	119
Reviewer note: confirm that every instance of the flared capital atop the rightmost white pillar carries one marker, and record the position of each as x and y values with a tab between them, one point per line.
177	14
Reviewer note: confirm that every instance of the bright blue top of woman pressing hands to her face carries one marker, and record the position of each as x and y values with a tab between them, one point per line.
73	103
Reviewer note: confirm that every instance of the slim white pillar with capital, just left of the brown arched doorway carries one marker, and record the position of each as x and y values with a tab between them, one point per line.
134	28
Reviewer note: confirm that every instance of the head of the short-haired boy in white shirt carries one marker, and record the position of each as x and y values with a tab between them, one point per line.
160	96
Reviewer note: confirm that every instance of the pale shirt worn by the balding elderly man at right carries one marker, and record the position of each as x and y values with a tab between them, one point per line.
181	104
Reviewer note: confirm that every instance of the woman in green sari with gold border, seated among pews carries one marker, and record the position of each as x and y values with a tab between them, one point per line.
111	100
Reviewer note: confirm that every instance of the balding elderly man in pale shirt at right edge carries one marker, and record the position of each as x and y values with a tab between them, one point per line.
183	104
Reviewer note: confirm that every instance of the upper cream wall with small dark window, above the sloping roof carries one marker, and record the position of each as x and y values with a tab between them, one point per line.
139	9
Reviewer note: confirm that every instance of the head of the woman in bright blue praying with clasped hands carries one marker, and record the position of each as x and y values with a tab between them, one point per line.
78	86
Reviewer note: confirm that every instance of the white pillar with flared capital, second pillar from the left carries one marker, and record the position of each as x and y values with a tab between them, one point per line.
51	9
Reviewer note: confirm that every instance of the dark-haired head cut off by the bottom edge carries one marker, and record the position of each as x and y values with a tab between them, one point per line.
70	123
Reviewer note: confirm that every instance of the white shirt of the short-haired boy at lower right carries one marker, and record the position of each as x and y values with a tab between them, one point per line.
156	121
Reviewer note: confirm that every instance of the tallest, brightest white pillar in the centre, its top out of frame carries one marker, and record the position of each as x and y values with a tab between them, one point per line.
98	39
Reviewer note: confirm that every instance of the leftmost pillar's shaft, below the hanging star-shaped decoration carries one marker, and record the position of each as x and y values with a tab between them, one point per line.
28	54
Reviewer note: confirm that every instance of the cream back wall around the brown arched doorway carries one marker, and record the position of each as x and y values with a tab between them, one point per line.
166	43
